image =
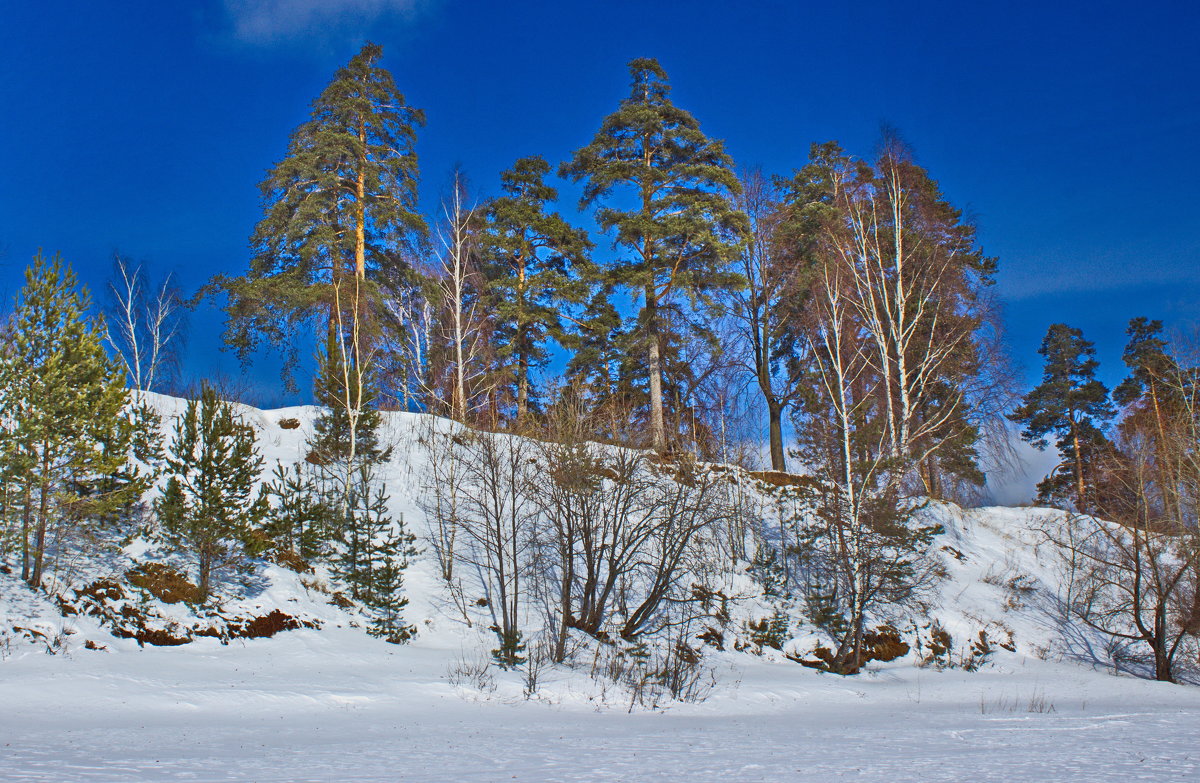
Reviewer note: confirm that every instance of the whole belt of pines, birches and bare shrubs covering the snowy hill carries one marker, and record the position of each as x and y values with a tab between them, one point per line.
842	313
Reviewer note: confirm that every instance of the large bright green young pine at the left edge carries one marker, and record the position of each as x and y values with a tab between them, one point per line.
65	432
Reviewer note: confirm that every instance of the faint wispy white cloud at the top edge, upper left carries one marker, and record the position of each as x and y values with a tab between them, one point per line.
273	22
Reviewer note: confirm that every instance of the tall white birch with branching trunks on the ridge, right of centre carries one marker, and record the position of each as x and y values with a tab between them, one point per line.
916	283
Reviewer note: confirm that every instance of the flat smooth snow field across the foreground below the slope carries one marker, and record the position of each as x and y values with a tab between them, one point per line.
334	707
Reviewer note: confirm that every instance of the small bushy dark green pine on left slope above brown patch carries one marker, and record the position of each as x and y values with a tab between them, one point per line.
209	505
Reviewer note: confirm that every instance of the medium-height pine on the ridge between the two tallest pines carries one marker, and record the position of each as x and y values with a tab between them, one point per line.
533	262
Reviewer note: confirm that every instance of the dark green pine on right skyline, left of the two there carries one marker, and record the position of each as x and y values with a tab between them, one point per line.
1073	405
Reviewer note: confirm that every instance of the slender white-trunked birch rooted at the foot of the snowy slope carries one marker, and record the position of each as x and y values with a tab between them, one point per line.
862	551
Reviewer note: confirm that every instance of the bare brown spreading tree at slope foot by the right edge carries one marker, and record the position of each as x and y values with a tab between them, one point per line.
1135	566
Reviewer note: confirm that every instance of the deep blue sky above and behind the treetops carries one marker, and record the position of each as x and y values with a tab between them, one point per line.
1069	132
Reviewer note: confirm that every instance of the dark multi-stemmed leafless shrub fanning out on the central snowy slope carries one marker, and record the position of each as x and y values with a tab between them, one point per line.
627	542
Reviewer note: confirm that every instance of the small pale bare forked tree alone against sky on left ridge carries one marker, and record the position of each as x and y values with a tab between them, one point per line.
146	324
